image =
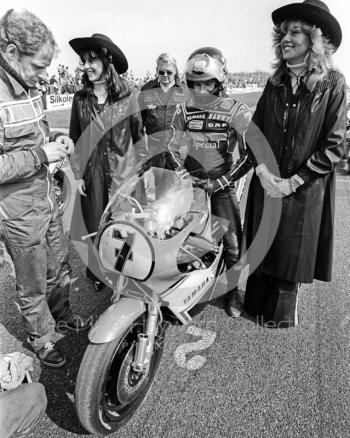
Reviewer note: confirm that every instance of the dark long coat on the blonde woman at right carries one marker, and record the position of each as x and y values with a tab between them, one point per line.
306	134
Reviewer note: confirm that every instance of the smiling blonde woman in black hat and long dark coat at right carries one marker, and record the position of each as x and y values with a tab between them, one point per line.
302	115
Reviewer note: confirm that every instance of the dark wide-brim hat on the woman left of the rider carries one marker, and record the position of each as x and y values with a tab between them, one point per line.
98	41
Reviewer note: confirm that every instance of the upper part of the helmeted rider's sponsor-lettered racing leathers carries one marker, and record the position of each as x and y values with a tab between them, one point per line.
210	135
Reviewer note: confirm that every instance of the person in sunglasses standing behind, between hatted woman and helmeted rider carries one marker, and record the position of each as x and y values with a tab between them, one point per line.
157	100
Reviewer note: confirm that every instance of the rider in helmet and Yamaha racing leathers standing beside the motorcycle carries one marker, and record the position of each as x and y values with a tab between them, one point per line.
211	124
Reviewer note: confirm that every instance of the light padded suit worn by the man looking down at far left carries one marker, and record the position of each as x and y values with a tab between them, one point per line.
30	222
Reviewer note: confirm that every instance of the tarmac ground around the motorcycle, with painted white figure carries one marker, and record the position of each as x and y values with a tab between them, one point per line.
249	382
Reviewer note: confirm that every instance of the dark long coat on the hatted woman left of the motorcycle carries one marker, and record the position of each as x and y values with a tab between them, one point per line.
109	144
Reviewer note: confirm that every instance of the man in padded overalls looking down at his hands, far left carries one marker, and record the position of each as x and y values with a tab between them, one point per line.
30	222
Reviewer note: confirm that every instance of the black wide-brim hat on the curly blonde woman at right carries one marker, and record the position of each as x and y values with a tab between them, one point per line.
312	12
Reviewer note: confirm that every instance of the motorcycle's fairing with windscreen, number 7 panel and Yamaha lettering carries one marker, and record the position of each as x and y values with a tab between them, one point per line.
150	260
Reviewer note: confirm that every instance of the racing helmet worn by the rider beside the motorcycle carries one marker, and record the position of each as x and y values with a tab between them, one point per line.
206	63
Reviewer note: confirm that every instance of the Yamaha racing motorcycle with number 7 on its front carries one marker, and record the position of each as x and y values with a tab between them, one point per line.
162	254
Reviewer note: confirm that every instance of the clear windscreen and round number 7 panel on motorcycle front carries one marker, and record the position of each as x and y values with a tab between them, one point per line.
156	205
